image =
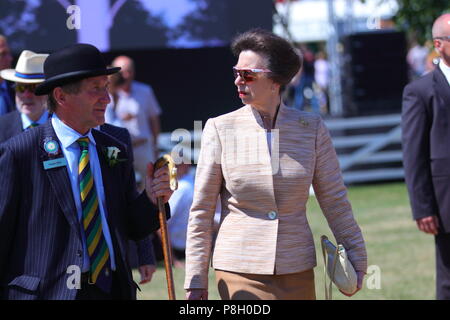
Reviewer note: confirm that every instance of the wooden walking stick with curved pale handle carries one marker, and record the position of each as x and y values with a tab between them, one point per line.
167	250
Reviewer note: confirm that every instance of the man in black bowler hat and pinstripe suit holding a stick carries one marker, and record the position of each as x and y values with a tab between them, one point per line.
68	203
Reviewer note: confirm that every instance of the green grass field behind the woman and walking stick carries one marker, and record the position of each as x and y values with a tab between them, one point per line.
404	255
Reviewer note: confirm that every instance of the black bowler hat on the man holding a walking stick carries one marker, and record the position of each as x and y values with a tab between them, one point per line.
71	64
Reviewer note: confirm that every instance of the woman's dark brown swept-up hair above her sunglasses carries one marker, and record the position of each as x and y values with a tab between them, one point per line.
284	60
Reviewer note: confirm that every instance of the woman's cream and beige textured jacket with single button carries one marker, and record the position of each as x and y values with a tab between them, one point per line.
264	229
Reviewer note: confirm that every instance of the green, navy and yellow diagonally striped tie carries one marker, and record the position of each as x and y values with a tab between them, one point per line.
92	222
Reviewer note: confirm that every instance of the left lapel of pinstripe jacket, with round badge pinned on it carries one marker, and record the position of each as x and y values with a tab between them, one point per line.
59	178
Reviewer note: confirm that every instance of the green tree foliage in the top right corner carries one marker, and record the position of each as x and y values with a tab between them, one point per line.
416	17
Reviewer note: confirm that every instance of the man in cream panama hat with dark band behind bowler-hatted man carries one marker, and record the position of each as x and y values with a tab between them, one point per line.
31	109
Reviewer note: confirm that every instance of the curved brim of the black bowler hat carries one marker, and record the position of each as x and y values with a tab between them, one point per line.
48	85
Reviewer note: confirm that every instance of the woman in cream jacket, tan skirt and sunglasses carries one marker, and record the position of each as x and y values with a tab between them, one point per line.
261	160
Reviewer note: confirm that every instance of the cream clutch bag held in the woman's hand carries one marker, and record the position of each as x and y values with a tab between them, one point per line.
338	267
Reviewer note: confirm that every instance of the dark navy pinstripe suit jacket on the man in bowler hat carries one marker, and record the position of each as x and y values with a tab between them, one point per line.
38	222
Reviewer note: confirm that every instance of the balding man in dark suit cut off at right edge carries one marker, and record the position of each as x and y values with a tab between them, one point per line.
426	152
